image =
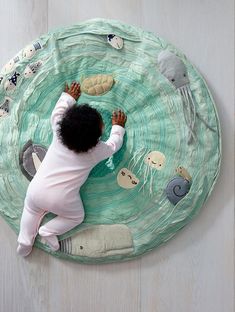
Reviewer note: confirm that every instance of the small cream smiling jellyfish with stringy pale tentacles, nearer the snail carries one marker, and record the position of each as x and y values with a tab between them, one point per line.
148	163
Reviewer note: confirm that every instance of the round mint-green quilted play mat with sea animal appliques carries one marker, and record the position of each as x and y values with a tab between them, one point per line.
158	181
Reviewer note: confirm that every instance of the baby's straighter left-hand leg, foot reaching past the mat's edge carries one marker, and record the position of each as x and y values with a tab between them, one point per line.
29	224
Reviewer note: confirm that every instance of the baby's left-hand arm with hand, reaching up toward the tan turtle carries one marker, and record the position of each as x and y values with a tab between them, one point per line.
66	100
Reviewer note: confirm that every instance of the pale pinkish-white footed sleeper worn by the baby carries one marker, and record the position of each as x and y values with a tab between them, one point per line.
55	186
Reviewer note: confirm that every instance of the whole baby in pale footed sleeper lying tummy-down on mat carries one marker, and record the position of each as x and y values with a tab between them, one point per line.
75	149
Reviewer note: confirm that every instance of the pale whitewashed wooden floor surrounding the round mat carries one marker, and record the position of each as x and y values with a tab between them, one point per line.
194	271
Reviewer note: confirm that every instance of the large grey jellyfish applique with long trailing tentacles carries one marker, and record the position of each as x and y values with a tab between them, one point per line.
175	71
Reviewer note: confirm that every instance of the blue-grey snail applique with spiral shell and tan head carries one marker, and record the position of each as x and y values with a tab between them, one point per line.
179	186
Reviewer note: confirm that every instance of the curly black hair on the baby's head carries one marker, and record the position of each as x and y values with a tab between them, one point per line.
80	128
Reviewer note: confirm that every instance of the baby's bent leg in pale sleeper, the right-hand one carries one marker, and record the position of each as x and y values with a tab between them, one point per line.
72	217
